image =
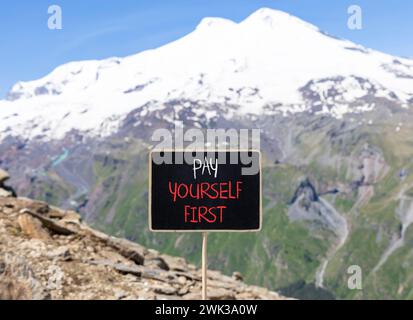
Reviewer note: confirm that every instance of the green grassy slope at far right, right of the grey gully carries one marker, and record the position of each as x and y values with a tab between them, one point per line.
373	226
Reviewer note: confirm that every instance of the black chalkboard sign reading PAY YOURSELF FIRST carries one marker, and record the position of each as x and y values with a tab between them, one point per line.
205	191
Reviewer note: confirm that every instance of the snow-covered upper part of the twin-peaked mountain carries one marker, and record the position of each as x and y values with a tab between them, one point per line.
270	62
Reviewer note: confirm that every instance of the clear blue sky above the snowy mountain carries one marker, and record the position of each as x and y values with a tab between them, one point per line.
95	29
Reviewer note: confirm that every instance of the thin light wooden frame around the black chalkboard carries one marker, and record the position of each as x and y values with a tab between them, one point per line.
257	229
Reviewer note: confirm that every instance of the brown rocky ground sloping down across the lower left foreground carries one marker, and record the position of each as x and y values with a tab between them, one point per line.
49	253
